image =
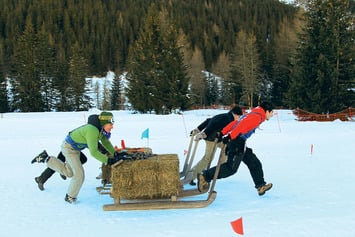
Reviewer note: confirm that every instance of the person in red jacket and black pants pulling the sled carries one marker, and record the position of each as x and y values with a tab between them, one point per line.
235	135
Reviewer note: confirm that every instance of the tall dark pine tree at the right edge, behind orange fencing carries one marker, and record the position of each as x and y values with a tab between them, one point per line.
323	67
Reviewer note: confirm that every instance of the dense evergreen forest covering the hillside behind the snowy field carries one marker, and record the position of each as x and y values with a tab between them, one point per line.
177	54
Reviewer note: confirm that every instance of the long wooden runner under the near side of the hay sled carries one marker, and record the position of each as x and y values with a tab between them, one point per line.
172	203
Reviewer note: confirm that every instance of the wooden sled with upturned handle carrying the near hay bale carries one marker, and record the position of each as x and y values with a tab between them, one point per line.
175	202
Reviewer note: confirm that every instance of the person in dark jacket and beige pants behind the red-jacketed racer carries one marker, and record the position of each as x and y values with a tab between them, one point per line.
208	130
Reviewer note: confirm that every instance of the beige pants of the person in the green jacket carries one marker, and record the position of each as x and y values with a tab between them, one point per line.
72	167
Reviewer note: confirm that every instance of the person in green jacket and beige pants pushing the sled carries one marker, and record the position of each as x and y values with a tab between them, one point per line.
98	129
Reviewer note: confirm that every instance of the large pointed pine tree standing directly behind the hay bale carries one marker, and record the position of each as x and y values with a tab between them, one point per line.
156	73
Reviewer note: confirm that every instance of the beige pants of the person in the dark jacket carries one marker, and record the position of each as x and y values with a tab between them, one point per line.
207	158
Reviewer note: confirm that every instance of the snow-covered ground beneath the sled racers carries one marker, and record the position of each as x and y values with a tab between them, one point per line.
313	193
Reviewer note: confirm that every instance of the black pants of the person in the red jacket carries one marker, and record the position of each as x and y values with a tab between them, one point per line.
237	153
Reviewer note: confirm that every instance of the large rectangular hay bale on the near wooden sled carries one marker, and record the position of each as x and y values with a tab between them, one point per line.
152	178
